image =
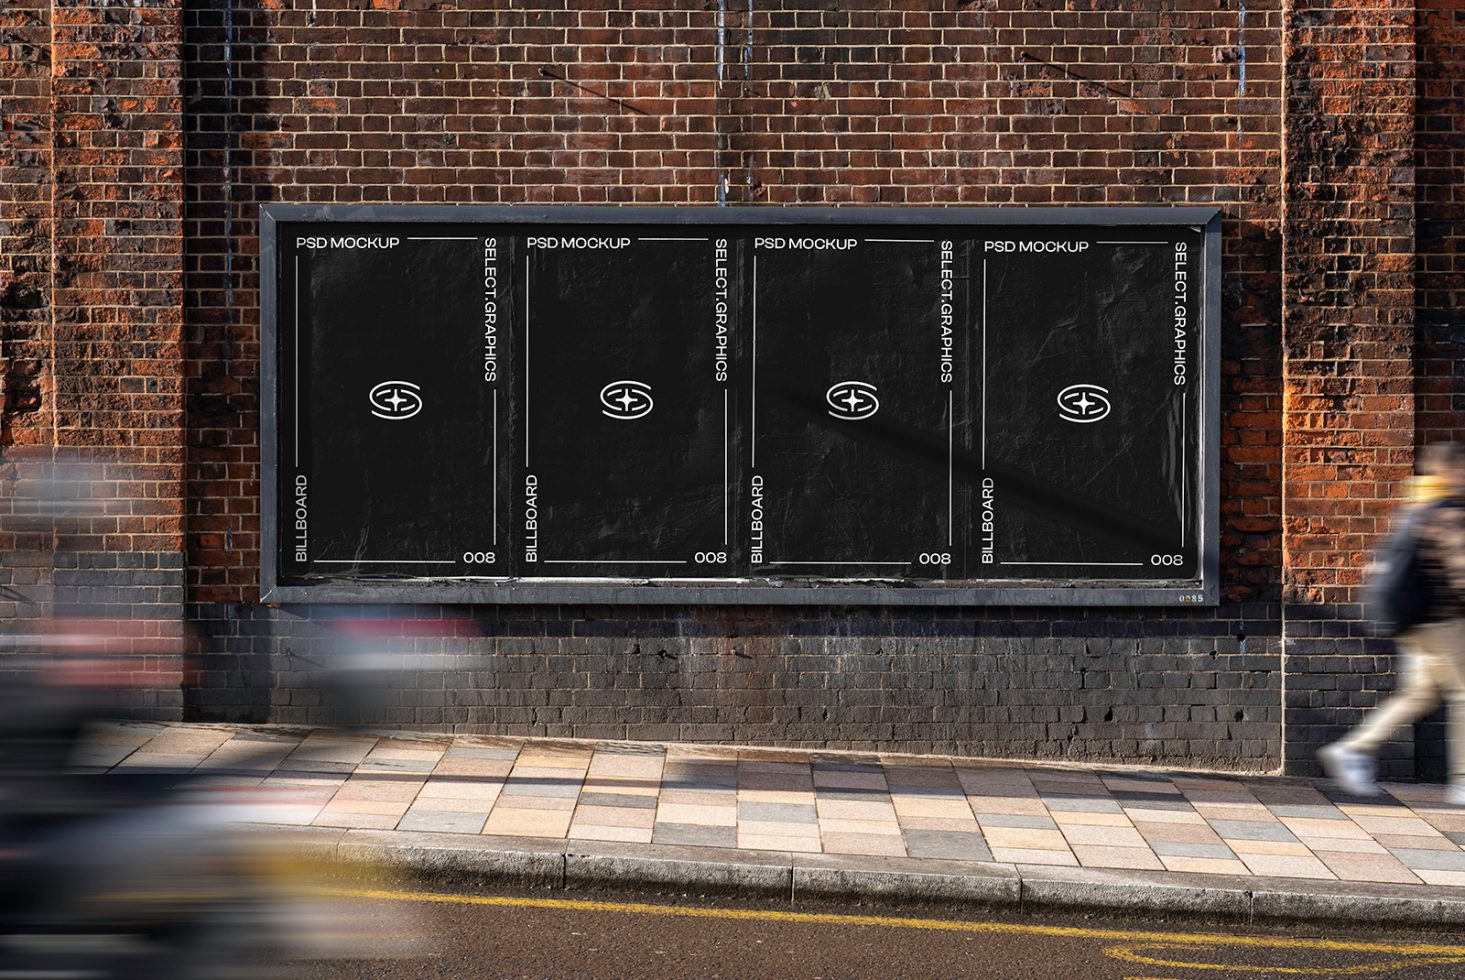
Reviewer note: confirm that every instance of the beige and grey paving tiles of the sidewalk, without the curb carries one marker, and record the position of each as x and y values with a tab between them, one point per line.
815	802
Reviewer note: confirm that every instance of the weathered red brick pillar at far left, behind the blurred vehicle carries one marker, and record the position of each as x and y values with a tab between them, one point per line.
96	379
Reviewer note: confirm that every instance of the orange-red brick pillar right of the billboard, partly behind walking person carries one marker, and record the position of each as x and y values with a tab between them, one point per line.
1349	341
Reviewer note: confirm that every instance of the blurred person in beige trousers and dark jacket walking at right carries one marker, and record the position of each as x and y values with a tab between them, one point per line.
1434	645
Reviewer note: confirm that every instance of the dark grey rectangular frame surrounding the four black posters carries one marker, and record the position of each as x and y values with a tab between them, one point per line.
689	591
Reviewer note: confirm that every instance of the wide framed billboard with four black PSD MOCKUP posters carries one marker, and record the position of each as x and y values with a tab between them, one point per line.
760	407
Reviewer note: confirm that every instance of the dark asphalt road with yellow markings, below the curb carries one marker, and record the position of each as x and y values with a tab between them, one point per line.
552	935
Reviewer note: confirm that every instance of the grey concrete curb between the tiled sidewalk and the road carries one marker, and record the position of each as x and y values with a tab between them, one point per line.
579	865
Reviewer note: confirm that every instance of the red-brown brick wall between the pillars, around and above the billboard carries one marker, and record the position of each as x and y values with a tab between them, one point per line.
889	103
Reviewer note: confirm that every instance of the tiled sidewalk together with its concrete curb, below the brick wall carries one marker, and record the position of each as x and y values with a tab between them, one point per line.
793	823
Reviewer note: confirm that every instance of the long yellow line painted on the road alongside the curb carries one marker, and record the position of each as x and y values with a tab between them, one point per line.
894	922
